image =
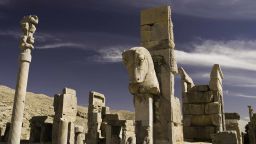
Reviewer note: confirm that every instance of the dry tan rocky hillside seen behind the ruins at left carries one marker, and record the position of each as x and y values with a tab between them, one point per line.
39	115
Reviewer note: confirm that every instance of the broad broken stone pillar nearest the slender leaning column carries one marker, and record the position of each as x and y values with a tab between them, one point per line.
65	108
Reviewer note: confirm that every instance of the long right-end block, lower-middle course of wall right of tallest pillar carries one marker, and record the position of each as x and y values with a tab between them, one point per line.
204	120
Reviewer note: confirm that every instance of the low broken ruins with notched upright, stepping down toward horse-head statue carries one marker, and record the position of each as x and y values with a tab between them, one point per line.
107	128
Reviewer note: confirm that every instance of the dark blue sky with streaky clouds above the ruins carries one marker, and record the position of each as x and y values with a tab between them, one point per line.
79	42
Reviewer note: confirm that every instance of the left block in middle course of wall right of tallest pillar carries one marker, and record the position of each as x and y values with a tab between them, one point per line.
193	109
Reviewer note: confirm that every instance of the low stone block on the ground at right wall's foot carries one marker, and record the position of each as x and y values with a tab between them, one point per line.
227	137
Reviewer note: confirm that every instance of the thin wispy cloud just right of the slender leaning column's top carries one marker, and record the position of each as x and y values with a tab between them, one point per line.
60	45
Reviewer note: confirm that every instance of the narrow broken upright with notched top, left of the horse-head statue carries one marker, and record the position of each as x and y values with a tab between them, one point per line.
95	112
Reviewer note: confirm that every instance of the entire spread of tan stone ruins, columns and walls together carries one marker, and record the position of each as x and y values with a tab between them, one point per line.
158	114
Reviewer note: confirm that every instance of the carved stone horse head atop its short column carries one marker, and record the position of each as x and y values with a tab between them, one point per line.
142	75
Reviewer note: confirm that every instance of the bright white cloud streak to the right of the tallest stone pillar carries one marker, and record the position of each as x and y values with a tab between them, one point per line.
237	54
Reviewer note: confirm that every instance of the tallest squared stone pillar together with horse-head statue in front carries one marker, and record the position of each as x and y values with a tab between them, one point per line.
152	70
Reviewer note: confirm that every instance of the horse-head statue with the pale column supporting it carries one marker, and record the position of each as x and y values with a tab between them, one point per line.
144	86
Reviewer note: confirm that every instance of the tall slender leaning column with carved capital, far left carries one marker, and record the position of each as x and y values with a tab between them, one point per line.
28	24
